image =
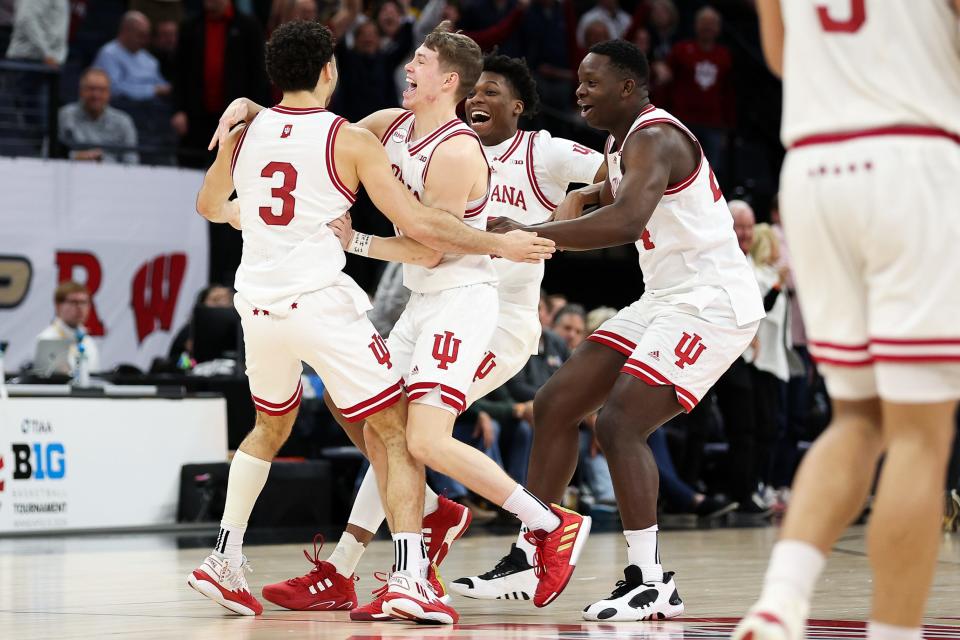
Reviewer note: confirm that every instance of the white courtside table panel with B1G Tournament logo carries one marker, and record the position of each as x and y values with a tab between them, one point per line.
82	463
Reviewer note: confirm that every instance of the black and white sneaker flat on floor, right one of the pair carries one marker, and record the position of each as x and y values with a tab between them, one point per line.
634	600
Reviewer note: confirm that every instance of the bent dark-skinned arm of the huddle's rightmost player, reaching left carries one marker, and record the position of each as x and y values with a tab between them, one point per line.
647	167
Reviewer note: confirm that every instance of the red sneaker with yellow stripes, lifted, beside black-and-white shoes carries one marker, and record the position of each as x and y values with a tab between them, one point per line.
557	553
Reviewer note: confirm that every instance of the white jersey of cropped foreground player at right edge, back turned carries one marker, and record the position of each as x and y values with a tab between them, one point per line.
851	65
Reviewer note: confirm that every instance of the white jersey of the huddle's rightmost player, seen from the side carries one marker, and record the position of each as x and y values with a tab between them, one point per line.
689	249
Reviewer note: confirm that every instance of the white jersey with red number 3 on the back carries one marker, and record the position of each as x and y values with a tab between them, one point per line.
288	189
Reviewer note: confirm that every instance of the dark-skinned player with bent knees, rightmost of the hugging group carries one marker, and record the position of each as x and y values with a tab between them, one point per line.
659	356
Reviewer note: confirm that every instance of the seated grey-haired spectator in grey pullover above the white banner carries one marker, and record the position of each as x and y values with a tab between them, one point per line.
92	129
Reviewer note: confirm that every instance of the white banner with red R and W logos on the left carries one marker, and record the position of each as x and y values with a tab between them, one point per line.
130	234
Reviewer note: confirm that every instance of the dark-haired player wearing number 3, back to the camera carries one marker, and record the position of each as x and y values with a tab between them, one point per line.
296	304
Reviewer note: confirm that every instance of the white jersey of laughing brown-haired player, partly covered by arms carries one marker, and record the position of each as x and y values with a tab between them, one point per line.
411	162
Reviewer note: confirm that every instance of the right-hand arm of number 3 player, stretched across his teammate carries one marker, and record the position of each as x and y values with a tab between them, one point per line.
359	150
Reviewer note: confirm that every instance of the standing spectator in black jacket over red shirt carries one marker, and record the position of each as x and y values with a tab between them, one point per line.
219	58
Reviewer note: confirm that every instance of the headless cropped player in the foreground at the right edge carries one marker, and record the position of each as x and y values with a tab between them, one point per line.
869	197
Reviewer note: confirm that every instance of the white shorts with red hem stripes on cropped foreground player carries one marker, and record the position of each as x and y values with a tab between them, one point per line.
873	225
